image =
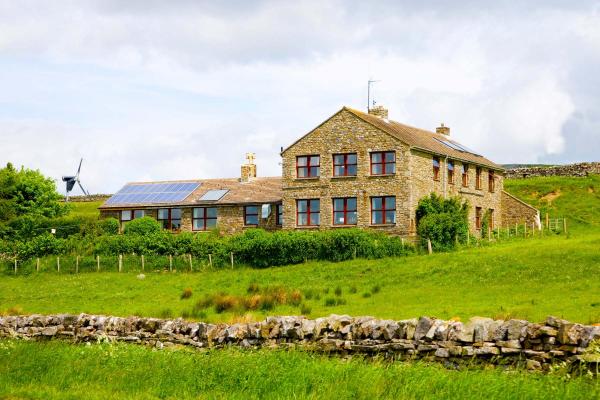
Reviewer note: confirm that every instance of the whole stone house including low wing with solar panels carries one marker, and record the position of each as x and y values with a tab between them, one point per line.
353	170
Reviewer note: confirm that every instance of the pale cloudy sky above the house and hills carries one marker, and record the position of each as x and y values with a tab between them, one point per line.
166	90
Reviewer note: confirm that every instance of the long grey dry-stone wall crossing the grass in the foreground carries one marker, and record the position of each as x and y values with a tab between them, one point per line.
515	342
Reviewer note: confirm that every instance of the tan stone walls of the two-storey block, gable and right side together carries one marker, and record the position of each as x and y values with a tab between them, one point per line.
413	180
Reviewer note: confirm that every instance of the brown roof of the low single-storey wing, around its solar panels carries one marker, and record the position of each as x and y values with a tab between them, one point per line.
255	191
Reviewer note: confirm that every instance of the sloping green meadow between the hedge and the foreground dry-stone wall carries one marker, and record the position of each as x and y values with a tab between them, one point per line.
529	279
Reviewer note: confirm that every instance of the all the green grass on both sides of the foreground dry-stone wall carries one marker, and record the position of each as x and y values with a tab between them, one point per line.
523	278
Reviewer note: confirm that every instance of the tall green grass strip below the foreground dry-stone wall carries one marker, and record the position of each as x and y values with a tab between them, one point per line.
55	370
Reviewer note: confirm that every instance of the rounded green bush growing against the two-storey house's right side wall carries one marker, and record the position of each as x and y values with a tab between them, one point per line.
443	221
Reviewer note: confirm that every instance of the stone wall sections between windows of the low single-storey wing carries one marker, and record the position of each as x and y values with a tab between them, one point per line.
230	218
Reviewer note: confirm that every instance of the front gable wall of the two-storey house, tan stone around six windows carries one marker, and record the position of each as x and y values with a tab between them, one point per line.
346	133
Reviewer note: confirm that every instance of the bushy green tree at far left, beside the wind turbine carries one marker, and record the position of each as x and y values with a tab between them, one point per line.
28	192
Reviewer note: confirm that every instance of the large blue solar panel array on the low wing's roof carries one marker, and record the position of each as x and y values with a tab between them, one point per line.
150	193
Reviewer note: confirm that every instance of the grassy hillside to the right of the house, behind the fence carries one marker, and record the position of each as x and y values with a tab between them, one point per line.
578	199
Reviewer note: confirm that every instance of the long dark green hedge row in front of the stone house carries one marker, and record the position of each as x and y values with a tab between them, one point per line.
254	247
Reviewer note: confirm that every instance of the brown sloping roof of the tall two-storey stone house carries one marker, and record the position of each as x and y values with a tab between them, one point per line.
420	139
